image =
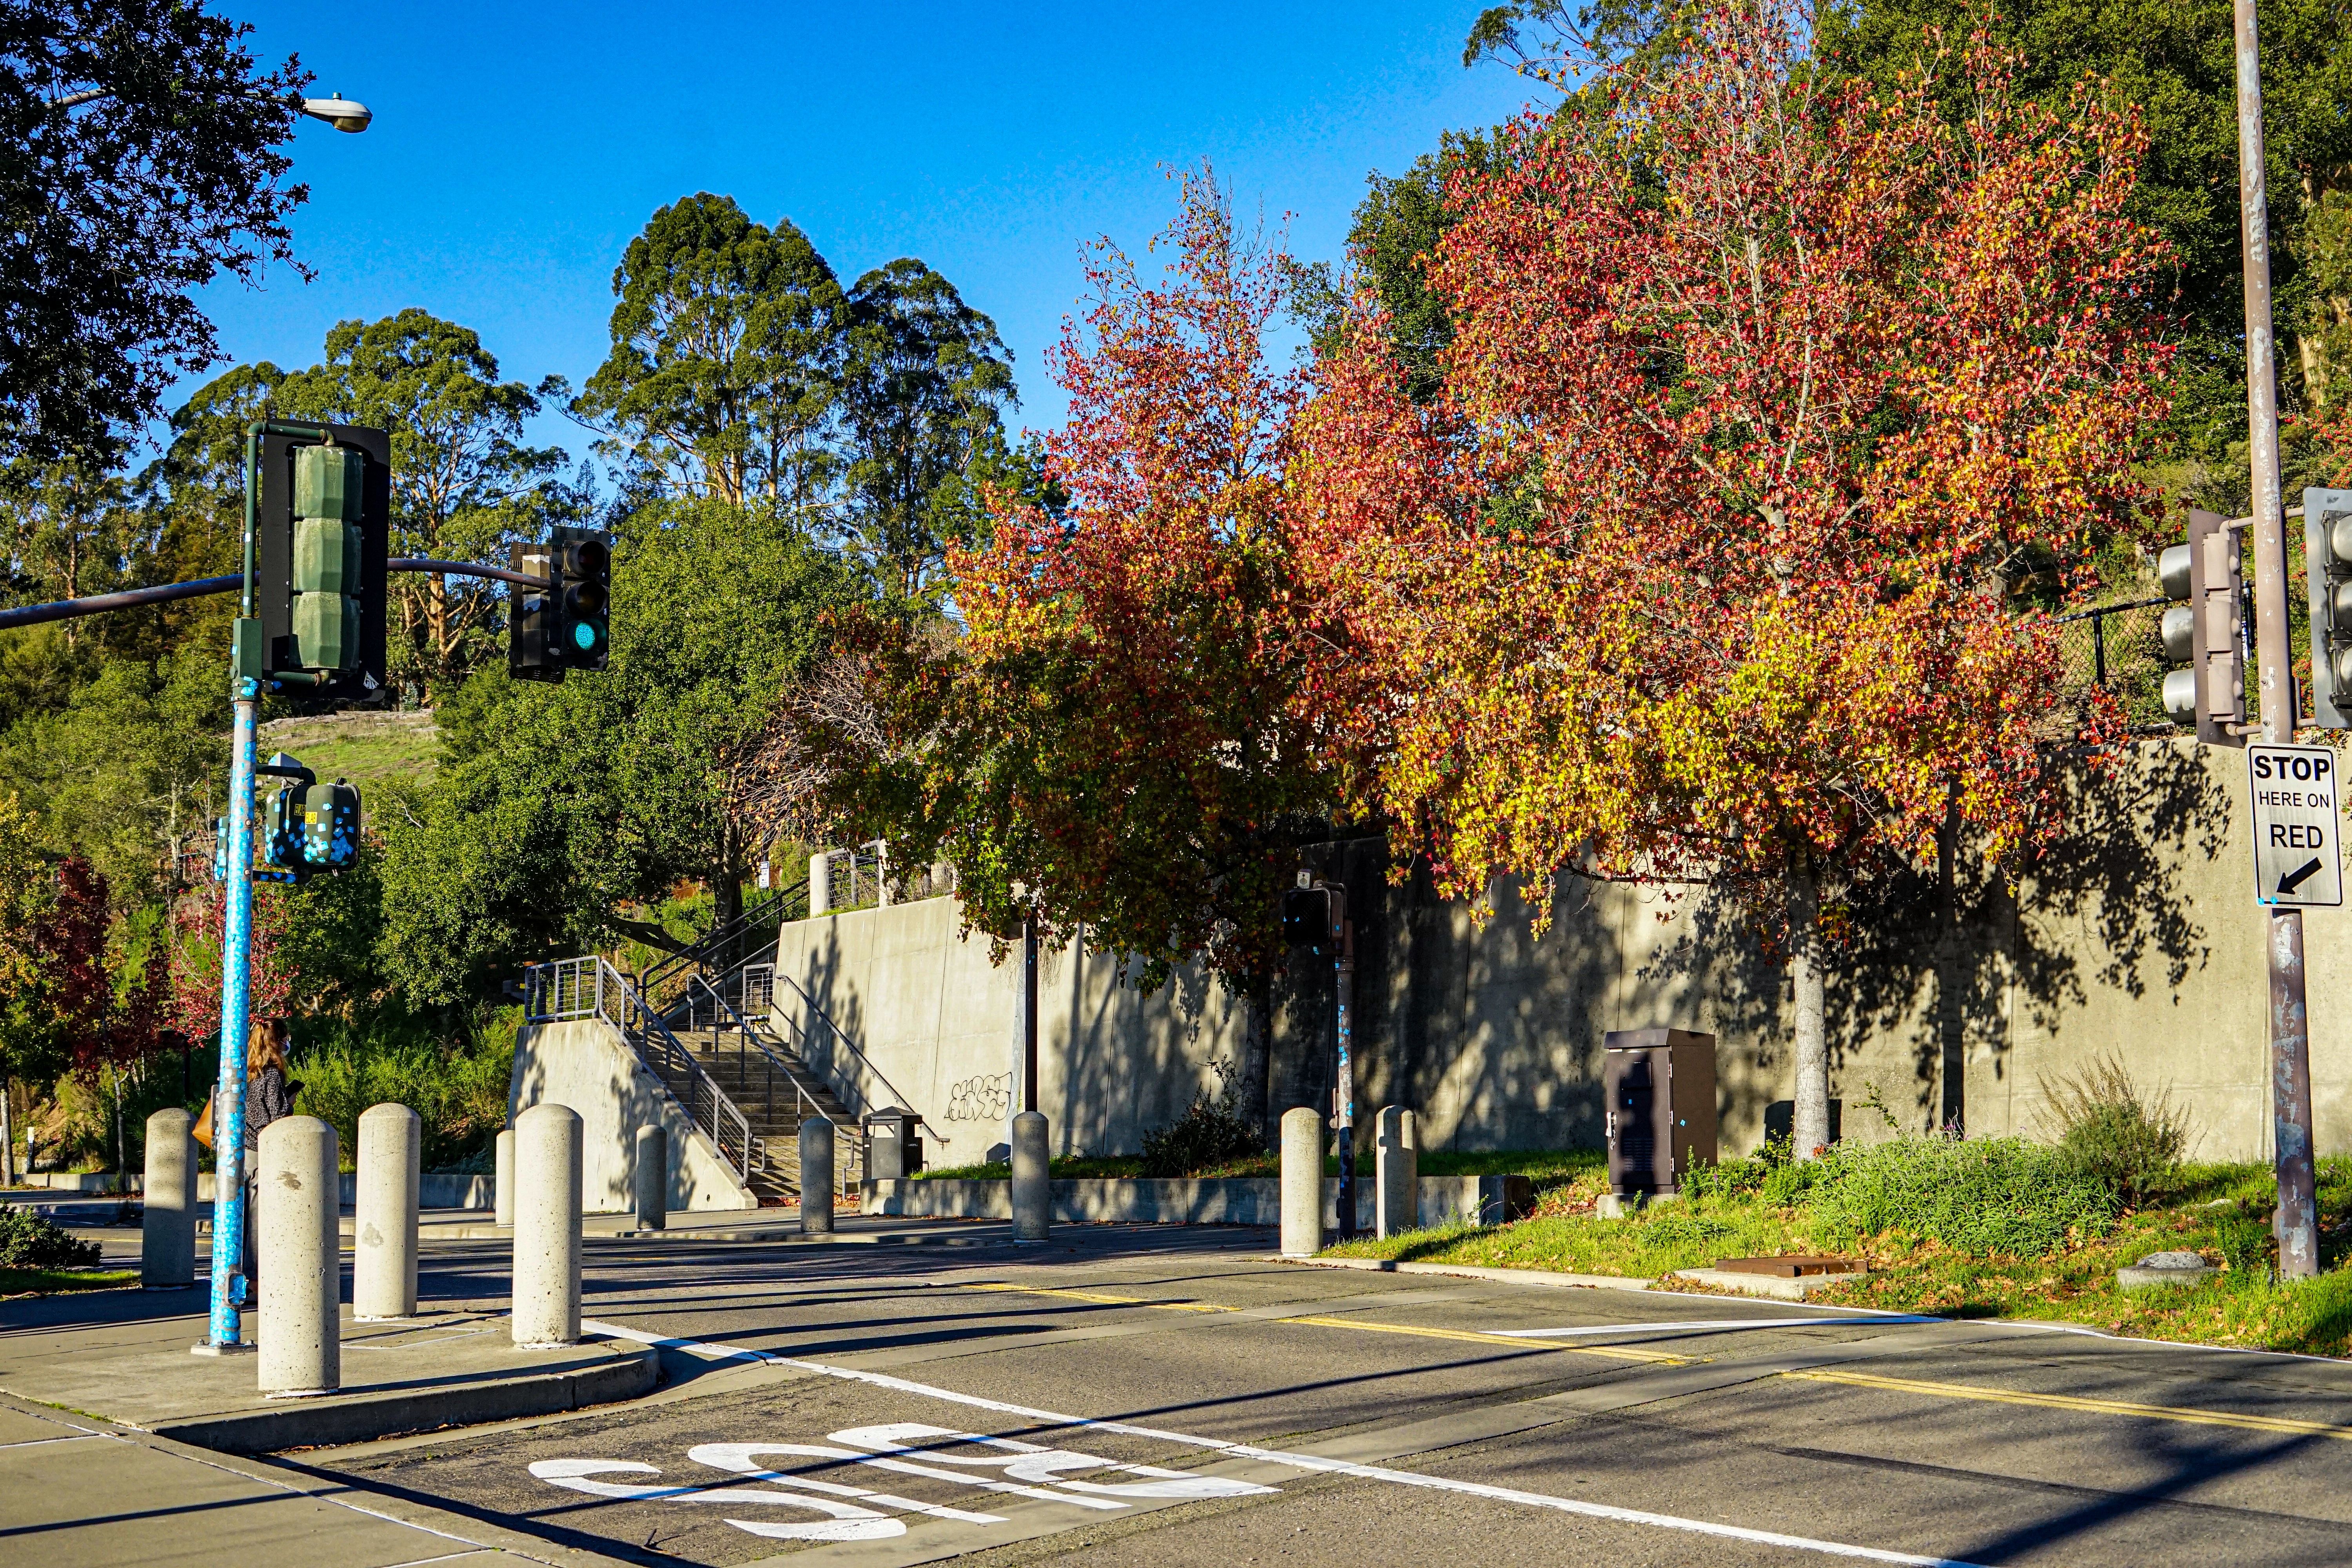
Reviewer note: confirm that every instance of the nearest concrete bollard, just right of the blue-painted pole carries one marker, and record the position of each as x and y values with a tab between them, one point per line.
302	1266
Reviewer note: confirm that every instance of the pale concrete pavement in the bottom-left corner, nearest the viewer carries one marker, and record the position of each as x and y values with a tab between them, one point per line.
86	1492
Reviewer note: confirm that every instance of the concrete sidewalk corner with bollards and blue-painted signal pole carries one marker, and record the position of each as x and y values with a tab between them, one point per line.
123	1358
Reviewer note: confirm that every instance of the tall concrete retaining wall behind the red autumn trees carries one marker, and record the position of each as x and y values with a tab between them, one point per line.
2134	937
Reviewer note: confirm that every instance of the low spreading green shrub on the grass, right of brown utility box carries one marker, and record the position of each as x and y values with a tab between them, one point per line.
1979	1195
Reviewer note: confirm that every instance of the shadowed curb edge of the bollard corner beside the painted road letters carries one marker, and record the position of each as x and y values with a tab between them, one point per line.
627	1374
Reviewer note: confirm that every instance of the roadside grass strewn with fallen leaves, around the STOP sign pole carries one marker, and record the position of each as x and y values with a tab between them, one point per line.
2219	1212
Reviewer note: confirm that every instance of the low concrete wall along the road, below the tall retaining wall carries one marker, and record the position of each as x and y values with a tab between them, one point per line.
1445	1200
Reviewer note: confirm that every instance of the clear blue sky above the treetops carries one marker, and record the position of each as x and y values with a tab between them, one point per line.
519	147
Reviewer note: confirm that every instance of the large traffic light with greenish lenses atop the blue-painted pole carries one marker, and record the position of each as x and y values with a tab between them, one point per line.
321	540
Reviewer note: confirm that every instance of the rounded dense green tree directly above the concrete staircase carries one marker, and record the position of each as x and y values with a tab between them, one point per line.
559	808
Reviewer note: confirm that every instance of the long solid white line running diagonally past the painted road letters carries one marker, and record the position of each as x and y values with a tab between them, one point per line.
1295	1461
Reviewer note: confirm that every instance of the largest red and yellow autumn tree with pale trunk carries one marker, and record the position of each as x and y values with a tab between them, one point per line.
1760	394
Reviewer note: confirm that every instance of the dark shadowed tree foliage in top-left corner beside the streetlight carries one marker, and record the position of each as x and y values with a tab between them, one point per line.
138	163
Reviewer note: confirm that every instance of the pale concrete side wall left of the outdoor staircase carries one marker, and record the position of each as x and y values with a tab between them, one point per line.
584	1064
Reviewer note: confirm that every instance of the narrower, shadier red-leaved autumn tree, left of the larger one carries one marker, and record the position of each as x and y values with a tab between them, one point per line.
1116	742
